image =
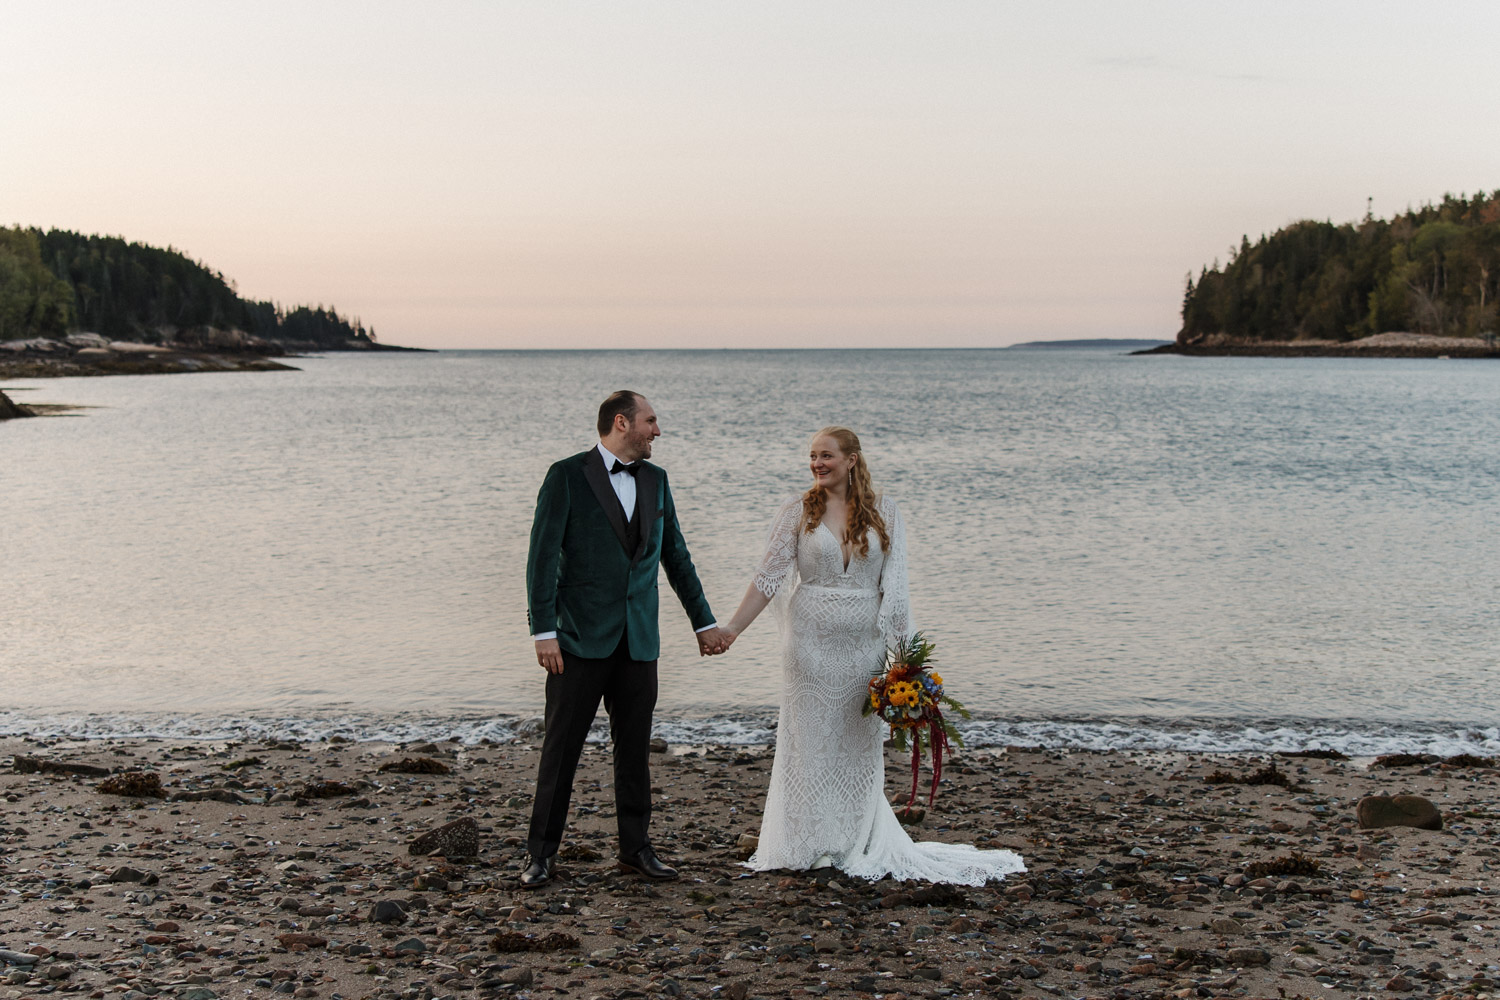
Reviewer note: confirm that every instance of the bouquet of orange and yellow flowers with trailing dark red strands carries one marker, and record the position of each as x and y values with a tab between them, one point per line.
908	695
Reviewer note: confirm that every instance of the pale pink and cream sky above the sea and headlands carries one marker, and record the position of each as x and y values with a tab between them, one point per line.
736	175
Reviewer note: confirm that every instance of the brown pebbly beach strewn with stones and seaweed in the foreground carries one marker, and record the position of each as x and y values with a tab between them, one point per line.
139	869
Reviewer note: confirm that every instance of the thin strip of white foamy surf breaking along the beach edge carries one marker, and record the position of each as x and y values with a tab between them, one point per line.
760	729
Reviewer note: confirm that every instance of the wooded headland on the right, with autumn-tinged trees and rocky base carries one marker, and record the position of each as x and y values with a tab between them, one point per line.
1423	284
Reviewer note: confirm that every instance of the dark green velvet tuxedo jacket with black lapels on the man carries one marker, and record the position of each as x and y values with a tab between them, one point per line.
581	581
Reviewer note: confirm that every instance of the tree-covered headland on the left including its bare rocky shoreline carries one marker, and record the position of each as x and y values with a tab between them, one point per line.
91	305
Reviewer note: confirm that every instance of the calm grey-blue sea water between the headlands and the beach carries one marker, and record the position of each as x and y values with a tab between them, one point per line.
1109	549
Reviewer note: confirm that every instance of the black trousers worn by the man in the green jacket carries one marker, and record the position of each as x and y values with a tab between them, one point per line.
629	690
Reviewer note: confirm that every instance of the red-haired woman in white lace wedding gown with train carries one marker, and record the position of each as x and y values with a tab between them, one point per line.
836	566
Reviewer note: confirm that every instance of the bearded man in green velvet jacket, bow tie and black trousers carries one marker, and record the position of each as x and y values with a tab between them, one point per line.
605	522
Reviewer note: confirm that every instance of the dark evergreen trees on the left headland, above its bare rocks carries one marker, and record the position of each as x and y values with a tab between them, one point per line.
58	283
